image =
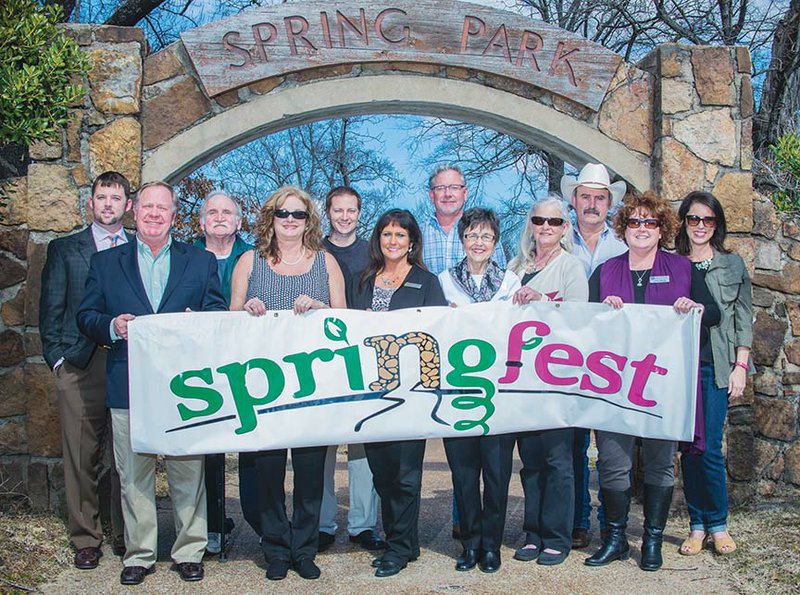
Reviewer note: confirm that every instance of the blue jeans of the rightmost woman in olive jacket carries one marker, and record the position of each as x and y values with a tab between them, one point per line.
704	475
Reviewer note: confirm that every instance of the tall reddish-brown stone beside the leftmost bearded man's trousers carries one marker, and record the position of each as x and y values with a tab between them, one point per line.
44	429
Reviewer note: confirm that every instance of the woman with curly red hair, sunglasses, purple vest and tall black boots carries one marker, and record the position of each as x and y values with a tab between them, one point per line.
645	274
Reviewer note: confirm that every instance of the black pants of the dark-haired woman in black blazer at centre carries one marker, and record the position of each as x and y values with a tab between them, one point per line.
397	473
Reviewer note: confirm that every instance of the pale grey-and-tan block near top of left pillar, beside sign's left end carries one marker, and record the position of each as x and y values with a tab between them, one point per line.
115	79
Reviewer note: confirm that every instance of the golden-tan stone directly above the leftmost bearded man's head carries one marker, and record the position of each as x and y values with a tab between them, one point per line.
117	147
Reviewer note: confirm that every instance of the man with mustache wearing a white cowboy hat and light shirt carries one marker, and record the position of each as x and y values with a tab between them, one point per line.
592	195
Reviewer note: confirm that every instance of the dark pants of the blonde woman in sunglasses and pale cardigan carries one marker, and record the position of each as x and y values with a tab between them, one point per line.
549	487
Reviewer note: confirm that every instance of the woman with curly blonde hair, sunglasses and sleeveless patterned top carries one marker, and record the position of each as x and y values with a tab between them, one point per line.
287	270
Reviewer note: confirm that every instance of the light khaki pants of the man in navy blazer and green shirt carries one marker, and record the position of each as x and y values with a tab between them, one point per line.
137	474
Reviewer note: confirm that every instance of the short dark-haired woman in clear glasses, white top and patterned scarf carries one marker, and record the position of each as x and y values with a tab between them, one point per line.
478	278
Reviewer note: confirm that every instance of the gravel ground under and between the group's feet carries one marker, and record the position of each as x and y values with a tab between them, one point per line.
346	568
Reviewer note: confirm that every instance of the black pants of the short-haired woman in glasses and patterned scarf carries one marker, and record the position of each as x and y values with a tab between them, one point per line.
481	521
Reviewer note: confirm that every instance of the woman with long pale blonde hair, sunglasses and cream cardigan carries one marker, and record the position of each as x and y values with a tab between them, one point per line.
549	273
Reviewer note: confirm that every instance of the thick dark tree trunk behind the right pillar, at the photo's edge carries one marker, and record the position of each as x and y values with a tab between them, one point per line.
779	98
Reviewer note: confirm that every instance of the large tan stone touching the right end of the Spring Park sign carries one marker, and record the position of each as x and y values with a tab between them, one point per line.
626	114
